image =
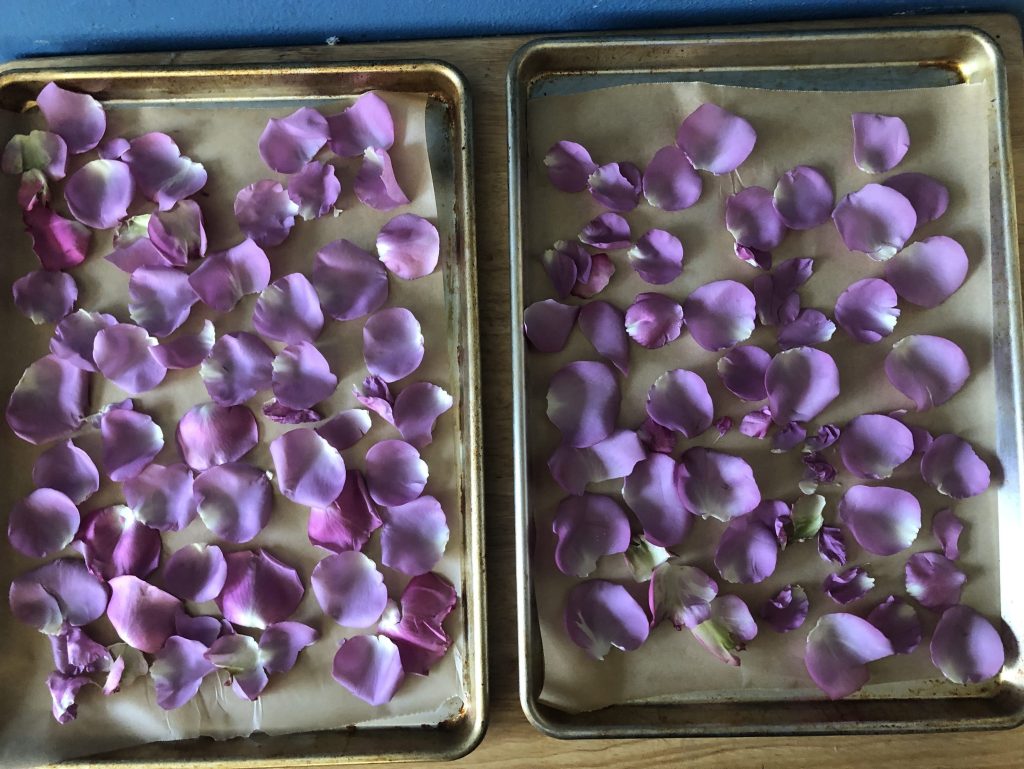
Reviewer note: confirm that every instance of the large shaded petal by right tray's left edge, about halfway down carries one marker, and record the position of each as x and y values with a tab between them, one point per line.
583	403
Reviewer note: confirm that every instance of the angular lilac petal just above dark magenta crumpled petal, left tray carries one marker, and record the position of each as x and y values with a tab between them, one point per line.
311	472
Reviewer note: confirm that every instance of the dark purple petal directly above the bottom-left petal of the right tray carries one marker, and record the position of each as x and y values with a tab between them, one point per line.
588	528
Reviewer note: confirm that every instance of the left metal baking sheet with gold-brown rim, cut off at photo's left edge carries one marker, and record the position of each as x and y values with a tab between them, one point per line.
290	79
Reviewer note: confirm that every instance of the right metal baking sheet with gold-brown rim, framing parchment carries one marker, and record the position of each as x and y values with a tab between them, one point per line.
842	60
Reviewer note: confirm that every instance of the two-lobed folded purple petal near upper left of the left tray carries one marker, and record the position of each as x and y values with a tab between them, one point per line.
162	173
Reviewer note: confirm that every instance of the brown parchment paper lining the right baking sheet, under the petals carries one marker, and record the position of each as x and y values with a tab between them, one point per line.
950	140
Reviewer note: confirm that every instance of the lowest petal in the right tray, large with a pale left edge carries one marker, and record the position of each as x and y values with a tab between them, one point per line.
839	650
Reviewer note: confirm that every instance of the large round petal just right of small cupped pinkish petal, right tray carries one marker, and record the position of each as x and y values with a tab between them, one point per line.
720	315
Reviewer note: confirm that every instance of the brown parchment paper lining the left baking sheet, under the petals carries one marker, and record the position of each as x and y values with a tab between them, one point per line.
308	699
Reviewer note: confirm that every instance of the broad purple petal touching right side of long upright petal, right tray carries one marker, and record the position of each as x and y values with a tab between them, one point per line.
716	485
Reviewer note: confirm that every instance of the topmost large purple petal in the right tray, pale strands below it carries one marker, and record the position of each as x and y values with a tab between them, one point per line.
715	140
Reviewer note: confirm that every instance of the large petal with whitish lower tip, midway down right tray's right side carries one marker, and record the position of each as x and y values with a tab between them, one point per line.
928	370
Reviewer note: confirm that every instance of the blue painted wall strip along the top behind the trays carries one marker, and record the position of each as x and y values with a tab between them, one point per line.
32	28
